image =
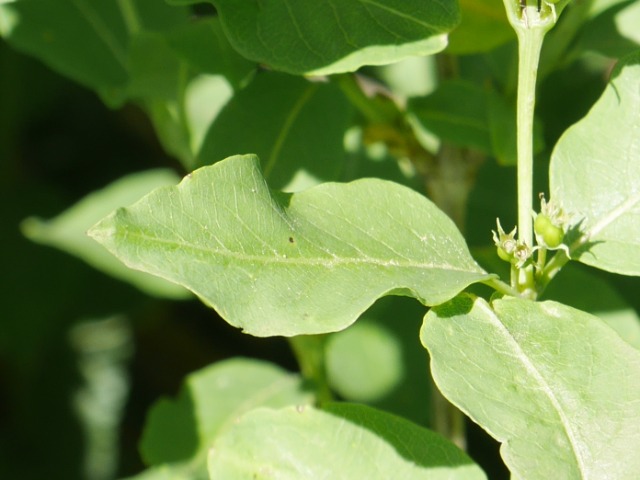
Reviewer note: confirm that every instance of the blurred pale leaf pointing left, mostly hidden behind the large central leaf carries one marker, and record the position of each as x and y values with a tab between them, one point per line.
68	230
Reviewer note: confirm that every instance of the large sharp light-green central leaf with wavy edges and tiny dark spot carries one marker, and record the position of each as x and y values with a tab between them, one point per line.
276	264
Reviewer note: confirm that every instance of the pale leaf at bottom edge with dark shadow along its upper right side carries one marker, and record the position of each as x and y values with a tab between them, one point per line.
344	441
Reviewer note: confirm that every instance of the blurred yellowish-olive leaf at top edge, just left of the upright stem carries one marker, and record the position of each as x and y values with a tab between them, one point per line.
484	26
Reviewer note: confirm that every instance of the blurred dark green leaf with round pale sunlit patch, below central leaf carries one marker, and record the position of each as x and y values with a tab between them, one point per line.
379	360
